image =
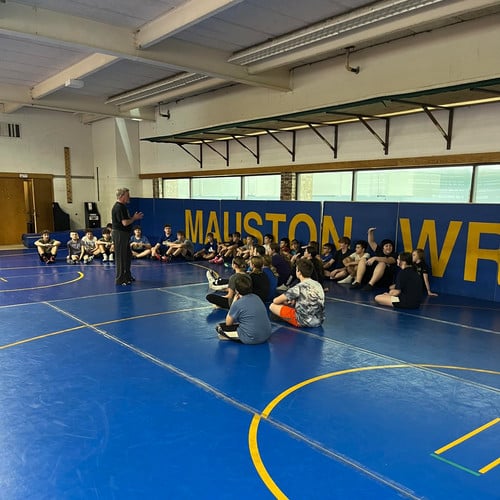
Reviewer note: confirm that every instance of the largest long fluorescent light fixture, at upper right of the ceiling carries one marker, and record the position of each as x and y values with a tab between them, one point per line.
359	18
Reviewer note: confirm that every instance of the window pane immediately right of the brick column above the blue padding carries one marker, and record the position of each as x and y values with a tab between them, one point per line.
324	186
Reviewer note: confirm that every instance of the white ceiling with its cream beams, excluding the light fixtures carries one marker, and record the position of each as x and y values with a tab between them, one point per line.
118	46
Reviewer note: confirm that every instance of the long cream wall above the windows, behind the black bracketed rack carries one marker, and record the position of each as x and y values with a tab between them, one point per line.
449	56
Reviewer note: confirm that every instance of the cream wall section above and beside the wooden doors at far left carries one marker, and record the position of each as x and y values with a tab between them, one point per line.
40	150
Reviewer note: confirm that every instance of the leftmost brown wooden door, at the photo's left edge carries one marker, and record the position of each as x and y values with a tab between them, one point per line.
12	204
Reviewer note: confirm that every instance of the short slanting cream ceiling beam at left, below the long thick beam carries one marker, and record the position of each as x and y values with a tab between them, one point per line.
85	67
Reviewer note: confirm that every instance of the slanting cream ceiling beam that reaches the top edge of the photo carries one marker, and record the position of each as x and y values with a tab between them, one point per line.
178	19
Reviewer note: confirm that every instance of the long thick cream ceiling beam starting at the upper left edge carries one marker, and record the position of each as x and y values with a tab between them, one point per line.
58	29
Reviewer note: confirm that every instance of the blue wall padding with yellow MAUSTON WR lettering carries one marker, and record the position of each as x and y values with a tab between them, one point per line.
461	241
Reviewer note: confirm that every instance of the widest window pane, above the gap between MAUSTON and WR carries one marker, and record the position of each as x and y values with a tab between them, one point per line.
439	185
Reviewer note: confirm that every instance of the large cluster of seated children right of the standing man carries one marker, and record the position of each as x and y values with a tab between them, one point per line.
302	302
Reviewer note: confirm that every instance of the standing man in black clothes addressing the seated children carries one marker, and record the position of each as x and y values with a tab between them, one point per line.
122	227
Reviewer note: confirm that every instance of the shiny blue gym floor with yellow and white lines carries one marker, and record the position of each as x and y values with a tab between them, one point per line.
125	392
